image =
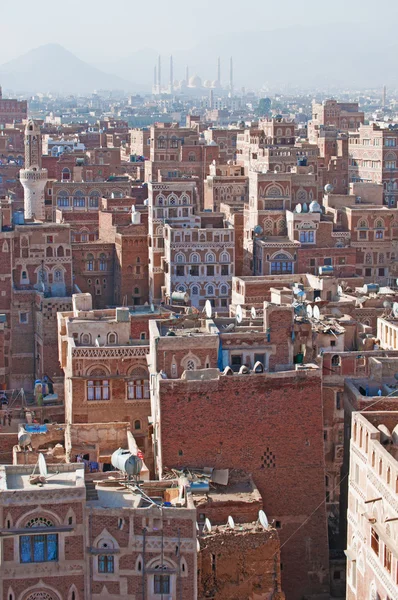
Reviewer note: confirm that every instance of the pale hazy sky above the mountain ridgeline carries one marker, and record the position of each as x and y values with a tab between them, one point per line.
103	30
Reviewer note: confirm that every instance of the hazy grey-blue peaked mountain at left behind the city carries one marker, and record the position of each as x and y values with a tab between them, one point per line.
52	68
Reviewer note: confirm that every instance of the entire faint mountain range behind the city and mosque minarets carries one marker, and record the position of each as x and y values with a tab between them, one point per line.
331	57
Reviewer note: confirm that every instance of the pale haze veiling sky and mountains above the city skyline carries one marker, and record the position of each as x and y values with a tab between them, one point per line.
287	45
